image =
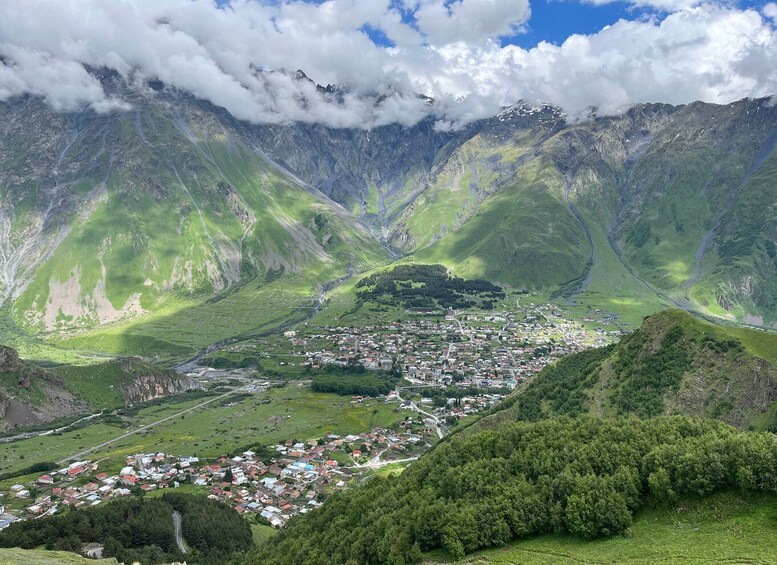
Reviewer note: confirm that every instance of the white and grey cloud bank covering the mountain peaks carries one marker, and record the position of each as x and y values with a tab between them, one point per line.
382	54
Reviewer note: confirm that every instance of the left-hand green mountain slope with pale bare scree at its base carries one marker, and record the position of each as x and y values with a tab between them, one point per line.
140	216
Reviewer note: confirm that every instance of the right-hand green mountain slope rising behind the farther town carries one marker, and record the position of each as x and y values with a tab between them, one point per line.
664	205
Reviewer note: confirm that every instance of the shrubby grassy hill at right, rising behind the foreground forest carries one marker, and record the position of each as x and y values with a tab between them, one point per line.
673	364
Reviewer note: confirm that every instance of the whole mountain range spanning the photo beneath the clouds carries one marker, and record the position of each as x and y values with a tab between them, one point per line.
173	226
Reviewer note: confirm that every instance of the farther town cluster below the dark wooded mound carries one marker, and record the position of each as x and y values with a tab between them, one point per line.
494	350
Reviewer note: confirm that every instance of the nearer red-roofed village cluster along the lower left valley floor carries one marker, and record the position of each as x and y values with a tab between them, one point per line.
277	484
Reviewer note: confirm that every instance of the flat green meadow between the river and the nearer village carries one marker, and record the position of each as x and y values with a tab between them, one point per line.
291	412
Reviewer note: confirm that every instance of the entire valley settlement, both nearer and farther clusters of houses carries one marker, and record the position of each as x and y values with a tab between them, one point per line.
482	356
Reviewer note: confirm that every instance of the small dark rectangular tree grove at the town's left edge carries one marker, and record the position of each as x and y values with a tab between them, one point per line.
354	380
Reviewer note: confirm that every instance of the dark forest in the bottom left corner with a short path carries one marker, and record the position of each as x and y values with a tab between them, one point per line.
141	529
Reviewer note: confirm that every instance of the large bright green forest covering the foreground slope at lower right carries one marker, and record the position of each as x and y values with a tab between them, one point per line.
584	476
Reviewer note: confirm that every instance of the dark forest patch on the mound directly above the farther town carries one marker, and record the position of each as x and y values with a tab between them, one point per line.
427	286
